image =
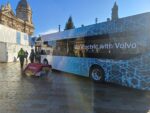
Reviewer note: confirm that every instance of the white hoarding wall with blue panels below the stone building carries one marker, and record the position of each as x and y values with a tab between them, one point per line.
11	41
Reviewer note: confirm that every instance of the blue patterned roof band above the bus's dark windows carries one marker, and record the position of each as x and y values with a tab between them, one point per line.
136	22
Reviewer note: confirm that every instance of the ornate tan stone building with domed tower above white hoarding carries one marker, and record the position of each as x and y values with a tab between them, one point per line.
21	21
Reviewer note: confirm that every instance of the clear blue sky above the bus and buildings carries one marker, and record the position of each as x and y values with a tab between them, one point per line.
48	14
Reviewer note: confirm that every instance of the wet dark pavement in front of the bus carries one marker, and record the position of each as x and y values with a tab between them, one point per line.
65	93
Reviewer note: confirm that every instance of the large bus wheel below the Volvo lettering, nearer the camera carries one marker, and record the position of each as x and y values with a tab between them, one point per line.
97	74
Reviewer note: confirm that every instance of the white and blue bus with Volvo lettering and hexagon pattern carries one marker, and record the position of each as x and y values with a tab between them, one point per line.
115	51
